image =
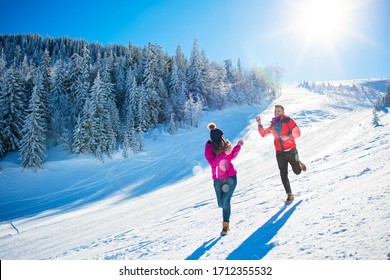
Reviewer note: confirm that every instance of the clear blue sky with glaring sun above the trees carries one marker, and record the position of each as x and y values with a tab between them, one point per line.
261	33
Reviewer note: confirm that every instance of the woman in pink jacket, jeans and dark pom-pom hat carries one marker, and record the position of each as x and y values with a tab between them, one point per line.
219	153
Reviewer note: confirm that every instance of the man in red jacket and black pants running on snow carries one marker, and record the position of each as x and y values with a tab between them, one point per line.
285	130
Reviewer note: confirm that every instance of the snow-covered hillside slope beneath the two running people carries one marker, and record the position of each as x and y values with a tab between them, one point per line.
160	204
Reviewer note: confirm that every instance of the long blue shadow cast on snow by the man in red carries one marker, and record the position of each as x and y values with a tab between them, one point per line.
256	246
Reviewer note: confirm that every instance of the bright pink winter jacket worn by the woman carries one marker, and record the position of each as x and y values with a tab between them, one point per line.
221	165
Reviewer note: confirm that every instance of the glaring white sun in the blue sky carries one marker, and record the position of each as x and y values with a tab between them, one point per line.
321	21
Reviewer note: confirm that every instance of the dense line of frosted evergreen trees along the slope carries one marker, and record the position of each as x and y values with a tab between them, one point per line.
98	99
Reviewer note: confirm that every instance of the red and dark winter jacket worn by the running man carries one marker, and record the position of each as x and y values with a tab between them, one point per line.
285	127
